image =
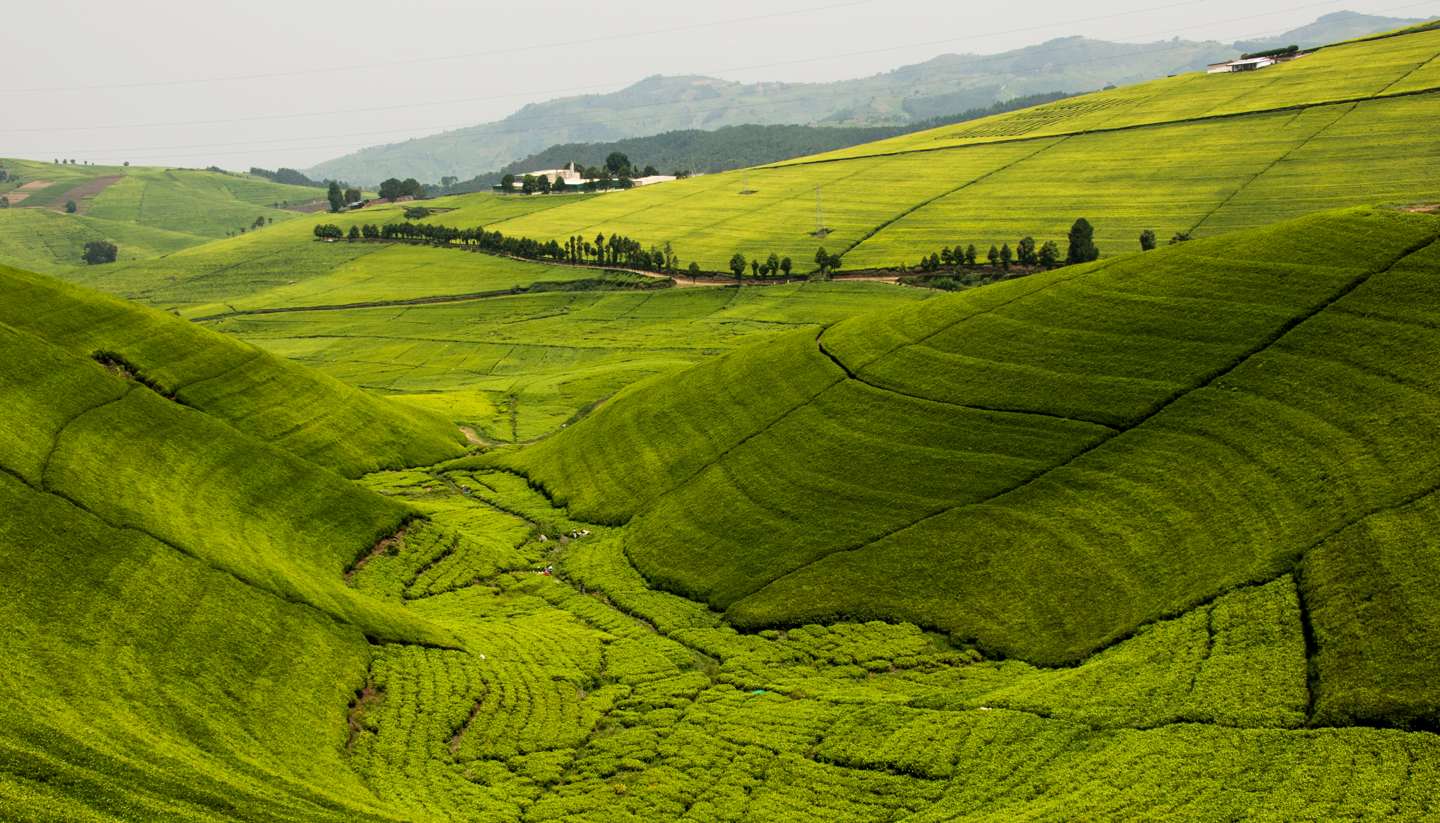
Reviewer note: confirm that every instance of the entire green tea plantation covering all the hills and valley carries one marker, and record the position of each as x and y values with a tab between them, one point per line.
305	529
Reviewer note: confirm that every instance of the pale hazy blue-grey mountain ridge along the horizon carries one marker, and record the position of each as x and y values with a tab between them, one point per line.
917	93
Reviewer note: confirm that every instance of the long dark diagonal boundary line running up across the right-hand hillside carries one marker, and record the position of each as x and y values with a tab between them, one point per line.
1150	415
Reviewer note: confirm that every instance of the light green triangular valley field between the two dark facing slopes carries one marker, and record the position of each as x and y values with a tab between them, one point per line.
519	368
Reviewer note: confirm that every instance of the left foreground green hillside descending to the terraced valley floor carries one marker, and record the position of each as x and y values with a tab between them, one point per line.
181	642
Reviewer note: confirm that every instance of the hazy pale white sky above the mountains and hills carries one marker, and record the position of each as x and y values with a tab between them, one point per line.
267	83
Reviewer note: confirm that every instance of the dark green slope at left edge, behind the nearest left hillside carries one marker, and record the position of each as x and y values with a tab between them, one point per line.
316	418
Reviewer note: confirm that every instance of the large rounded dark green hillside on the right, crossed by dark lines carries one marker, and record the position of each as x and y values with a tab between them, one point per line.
1099	412
